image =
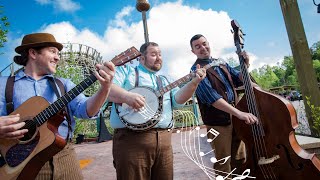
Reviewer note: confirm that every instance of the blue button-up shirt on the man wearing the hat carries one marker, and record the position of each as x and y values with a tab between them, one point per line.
26	87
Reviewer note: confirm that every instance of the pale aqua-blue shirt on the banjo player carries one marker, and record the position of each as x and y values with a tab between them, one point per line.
125	77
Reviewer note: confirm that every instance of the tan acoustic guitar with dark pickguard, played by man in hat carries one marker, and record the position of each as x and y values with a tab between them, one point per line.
25	157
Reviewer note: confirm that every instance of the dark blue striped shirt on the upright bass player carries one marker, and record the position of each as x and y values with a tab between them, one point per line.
206	94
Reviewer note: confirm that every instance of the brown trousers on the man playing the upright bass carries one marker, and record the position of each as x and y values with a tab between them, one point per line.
226	144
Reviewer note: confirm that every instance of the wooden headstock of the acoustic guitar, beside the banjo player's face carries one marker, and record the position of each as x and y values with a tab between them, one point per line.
126	56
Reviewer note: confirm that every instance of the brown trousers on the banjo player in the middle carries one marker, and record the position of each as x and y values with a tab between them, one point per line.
143	155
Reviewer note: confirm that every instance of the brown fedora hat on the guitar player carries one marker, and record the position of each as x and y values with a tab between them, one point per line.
38	40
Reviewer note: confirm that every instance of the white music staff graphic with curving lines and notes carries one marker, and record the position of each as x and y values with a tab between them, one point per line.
196	148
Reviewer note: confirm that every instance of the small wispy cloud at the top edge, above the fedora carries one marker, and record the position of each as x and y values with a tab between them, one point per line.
61	5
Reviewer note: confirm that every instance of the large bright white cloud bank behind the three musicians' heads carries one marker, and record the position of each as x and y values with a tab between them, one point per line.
170	24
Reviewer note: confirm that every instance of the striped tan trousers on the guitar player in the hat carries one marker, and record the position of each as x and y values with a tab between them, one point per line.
63	166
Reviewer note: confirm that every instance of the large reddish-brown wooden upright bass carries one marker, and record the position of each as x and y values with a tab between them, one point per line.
271	147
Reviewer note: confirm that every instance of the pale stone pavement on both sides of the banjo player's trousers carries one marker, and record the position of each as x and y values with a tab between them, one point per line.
97	158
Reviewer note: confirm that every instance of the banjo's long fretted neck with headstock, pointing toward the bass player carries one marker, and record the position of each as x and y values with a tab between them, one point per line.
186	78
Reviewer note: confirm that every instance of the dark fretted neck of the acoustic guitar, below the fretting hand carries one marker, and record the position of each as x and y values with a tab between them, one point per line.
64	100
